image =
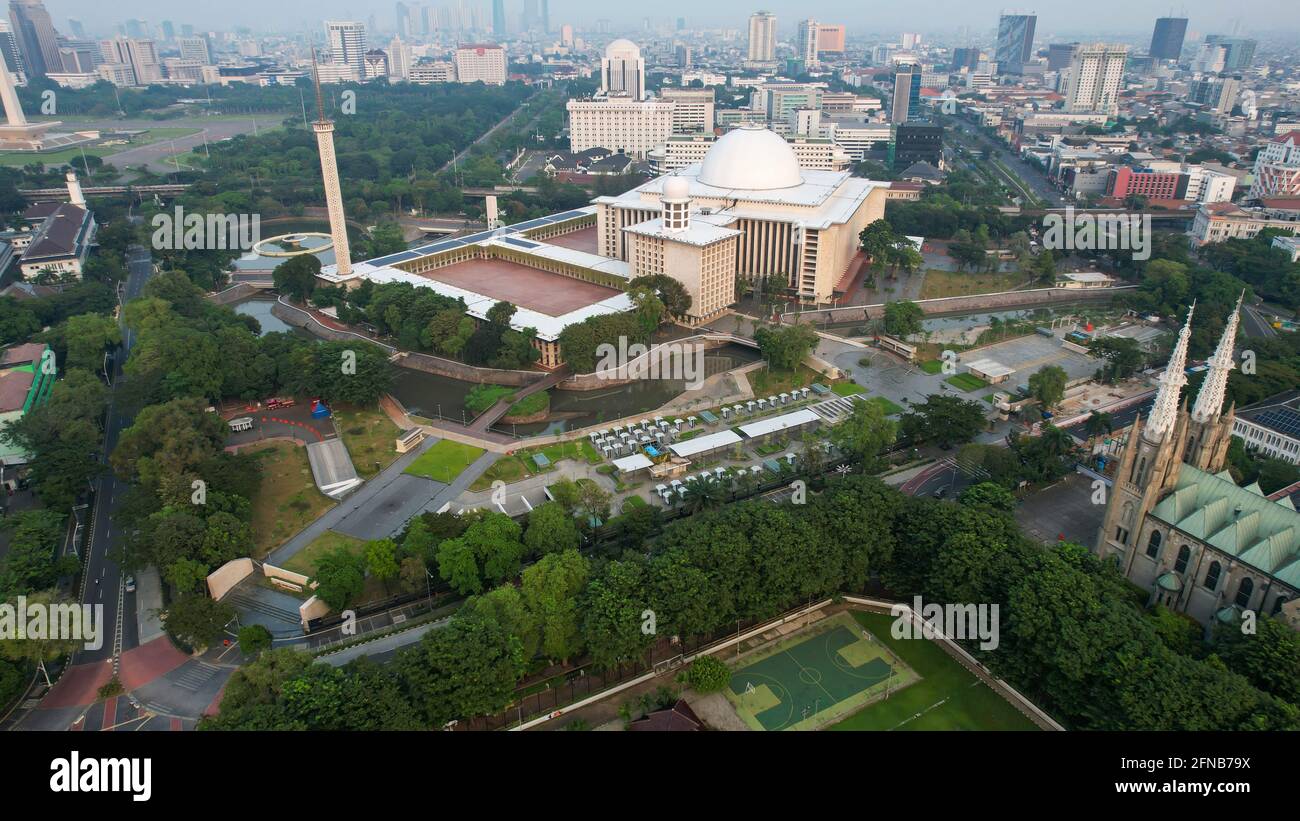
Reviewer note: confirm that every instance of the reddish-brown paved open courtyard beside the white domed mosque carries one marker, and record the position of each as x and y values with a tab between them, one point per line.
523	286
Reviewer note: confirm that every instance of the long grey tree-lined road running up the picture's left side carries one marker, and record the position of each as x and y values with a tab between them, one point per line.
103	579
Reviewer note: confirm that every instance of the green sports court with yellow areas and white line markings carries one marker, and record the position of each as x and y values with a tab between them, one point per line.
816	677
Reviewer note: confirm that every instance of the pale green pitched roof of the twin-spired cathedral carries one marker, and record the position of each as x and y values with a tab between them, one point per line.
1240	522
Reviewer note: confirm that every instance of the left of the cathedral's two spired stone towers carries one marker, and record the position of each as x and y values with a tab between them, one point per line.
1151	461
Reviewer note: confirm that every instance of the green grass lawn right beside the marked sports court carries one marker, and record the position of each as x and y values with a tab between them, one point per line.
968	703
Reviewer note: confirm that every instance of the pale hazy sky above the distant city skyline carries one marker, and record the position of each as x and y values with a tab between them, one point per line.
877	16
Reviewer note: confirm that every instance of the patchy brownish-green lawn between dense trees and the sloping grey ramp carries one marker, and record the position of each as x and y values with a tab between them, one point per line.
288	501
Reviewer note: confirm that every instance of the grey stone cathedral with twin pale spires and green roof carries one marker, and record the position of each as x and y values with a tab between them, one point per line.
1177	523
